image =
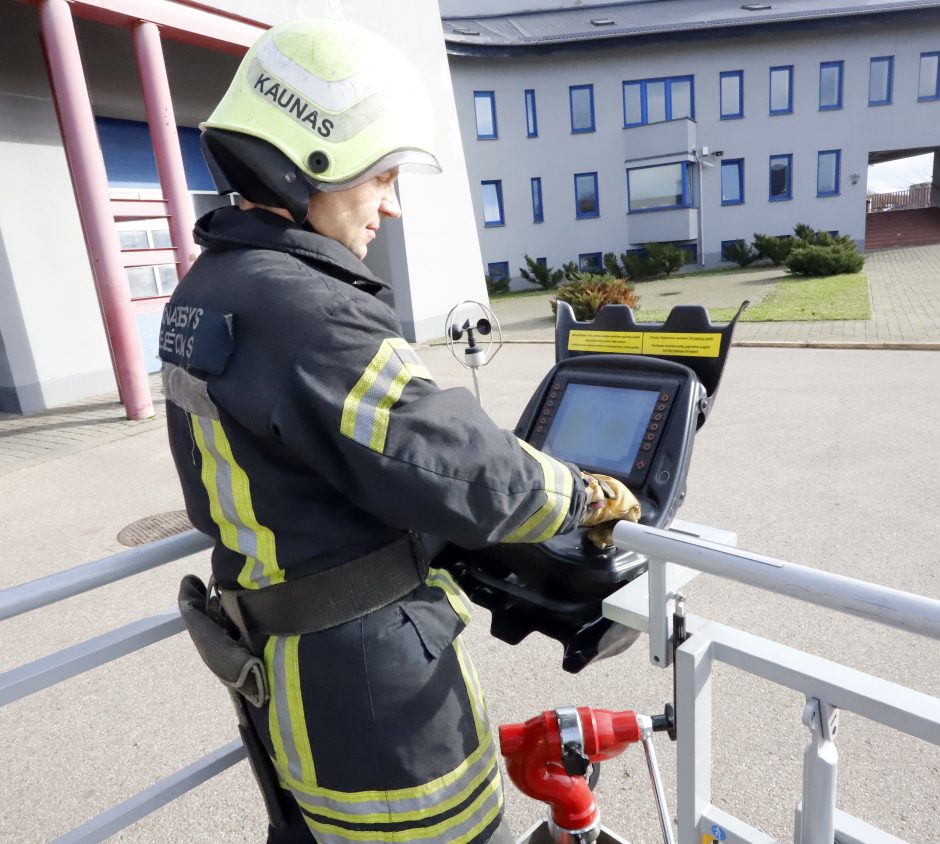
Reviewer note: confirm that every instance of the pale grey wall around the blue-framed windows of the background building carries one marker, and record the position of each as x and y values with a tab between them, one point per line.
556	154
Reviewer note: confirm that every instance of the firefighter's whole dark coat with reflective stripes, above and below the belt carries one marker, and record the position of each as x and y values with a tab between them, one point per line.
307	433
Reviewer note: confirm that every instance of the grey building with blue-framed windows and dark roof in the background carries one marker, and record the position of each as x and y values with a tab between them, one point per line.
695	122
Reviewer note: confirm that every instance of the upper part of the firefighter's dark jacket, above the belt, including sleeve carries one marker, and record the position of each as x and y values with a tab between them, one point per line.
307	432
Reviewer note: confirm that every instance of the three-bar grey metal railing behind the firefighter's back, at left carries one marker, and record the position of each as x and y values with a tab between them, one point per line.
99	650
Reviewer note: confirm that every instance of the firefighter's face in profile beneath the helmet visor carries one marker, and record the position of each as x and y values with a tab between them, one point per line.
352	217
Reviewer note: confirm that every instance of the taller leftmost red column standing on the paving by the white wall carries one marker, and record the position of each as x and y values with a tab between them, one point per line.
77	123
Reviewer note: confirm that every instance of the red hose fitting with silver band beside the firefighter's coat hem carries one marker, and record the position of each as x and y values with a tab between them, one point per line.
536	757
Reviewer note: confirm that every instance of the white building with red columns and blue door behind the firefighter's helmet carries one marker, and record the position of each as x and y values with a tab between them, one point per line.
101	178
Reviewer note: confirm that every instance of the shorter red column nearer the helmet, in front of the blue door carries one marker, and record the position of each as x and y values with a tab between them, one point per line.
166	145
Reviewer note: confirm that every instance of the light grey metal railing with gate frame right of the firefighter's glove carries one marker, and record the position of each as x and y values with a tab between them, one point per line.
674	558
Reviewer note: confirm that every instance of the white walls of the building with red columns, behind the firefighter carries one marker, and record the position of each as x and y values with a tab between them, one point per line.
52	342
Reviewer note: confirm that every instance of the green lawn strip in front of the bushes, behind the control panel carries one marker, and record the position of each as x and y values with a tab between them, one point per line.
797	299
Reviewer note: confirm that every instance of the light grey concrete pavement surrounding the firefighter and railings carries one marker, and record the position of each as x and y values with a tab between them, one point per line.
826	457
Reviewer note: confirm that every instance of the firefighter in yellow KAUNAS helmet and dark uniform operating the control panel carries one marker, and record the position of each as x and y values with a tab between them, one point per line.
313	445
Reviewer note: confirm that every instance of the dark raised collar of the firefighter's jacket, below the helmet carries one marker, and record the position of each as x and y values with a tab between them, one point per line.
232	228
